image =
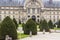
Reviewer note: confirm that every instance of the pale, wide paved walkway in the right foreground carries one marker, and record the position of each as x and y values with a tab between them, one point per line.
46	36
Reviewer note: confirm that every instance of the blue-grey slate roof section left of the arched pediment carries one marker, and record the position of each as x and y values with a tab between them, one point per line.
10	3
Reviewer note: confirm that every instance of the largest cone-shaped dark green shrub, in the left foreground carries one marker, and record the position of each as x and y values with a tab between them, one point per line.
8	28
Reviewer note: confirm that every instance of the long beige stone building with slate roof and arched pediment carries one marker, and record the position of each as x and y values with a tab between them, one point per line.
35	9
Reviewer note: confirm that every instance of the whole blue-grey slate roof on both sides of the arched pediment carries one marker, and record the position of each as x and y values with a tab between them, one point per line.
21	3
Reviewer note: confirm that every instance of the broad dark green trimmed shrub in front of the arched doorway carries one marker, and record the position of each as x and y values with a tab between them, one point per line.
30	26
